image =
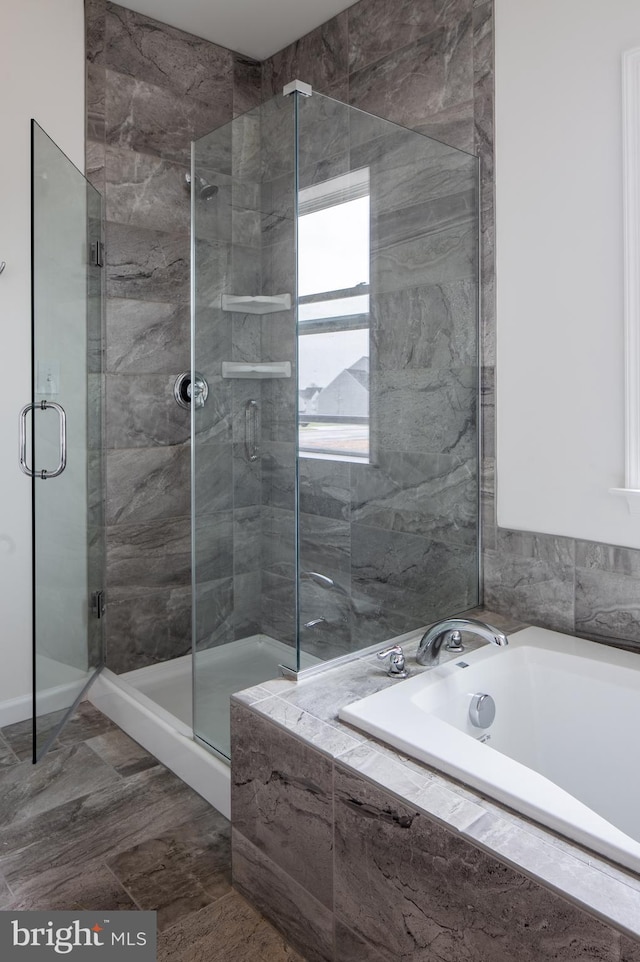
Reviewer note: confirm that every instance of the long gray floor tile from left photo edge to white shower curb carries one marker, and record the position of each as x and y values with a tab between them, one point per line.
107	821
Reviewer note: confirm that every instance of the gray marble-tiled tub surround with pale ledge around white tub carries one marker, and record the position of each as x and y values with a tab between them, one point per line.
358	853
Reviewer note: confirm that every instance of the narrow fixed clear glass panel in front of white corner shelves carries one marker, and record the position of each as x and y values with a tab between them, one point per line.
244	436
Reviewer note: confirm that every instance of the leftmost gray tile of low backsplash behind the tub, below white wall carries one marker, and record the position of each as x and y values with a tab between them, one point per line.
536	591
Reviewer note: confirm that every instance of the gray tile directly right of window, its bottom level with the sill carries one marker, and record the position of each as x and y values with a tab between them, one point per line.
426	411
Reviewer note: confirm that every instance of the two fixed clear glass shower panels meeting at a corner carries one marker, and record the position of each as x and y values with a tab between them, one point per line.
334	391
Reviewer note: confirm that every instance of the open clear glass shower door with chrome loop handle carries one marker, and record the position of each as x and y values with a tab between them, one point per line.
67	371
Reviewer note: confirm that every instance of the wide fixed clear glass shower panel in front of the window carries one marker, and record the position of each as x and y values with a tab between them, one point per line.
388	537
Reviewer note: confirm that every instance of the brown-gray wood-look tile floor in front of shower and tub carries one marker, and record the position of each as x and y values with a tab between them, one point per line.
101	824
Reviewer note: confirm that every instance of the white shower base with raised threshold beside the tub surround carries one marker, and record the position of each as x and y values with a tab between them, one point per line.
154	705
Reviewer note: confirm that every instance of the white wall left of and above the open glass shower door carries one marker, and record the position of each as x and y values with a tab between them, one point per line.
41	76
